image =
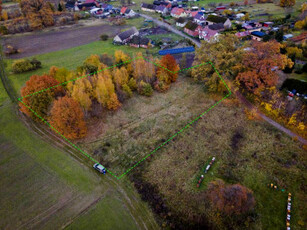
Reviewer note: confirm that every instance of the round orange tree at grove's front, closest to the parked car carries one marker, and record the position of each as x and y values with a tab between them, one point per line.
67	117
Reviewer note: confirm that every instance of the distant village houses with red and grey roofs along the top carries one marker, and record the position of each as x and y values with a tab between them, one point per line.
198	23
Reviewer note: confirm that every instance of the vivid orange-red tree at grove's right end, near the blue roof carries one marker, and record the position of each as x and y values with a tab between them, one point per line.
168	67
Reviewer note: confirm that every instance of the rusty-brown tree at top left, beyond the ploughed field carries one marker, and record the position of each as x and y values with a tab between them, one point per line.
38	12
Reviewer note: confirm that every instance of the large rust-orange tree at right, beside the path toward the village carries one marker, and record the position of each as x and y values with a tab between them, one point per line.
259	65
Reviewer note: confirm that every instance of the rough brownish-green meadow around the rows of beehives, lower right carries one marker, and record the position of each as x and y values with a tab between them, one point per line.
248	152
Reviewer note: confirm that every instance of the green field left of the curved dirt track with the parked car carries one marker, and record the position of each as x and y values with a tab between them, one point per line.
43	187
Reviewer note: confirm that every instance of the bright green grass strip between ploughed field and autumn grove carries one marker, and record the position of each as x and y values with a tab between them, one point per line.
70	59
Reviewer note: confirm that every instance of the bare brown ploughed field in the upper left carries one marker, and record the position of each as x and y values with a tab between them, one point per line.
58	39
